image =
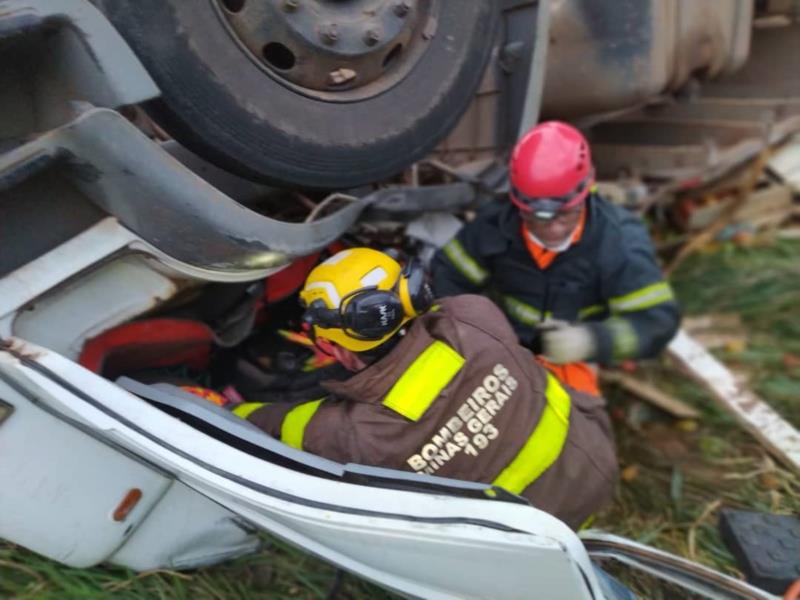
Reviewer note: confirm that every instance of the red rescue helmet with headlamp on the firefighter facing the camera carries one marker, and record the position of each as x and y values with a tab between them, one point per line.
551	169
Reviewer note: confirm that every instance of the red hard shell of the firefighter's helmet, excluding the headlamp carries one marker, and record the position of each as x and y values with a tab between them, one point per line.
551	160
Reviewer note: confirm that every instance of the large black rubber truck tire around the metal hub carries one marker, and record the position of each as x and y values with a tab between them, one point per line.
218	101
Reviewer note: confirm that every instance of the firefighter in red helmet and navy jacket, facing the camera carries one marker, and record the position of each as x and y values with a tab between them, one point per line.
576	275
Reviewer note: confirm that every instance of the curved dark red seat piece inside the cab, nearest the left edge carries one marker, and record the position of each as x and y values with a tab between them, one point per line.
148	344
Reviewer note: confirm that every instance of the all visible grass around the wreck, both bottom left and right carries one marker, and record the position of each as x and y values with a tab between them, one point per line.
677	476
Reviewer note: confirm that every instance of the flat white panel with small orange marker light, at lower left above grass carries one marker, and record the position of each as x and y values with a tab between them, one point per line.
60	487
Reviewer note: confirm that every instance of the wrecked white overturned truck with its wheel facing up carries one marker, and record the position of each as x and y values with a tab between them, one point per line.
147	149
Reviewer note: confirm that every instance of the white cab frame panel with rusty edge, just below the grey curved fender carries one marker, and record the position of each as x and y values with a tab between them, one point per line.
63	297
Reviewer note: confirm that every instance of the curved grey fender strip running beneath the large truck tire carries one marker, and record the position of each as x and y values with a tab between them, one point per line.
153	195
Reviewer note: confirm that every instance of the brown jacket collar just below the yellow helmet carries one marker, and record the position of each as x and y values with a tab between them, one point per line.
373	383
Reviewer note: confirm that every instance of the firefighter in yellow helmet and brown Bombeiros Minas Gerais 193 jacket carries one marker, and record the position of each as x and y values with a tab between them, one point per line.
441	389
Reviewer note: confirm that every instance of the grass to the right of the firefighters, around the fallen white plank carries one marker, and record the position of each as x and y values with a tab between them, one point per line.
683	477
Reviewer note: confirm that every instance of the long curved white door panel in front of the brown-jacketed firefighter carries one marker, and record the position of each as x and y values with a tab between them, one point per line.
425	545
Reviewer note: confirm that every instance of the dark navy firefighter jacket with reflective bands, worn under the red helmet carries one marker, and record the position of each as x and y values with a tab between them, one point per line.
609	279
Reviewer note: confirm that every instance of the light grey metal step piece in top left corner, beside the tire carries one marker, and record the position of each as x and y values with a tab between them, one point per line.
57	53
